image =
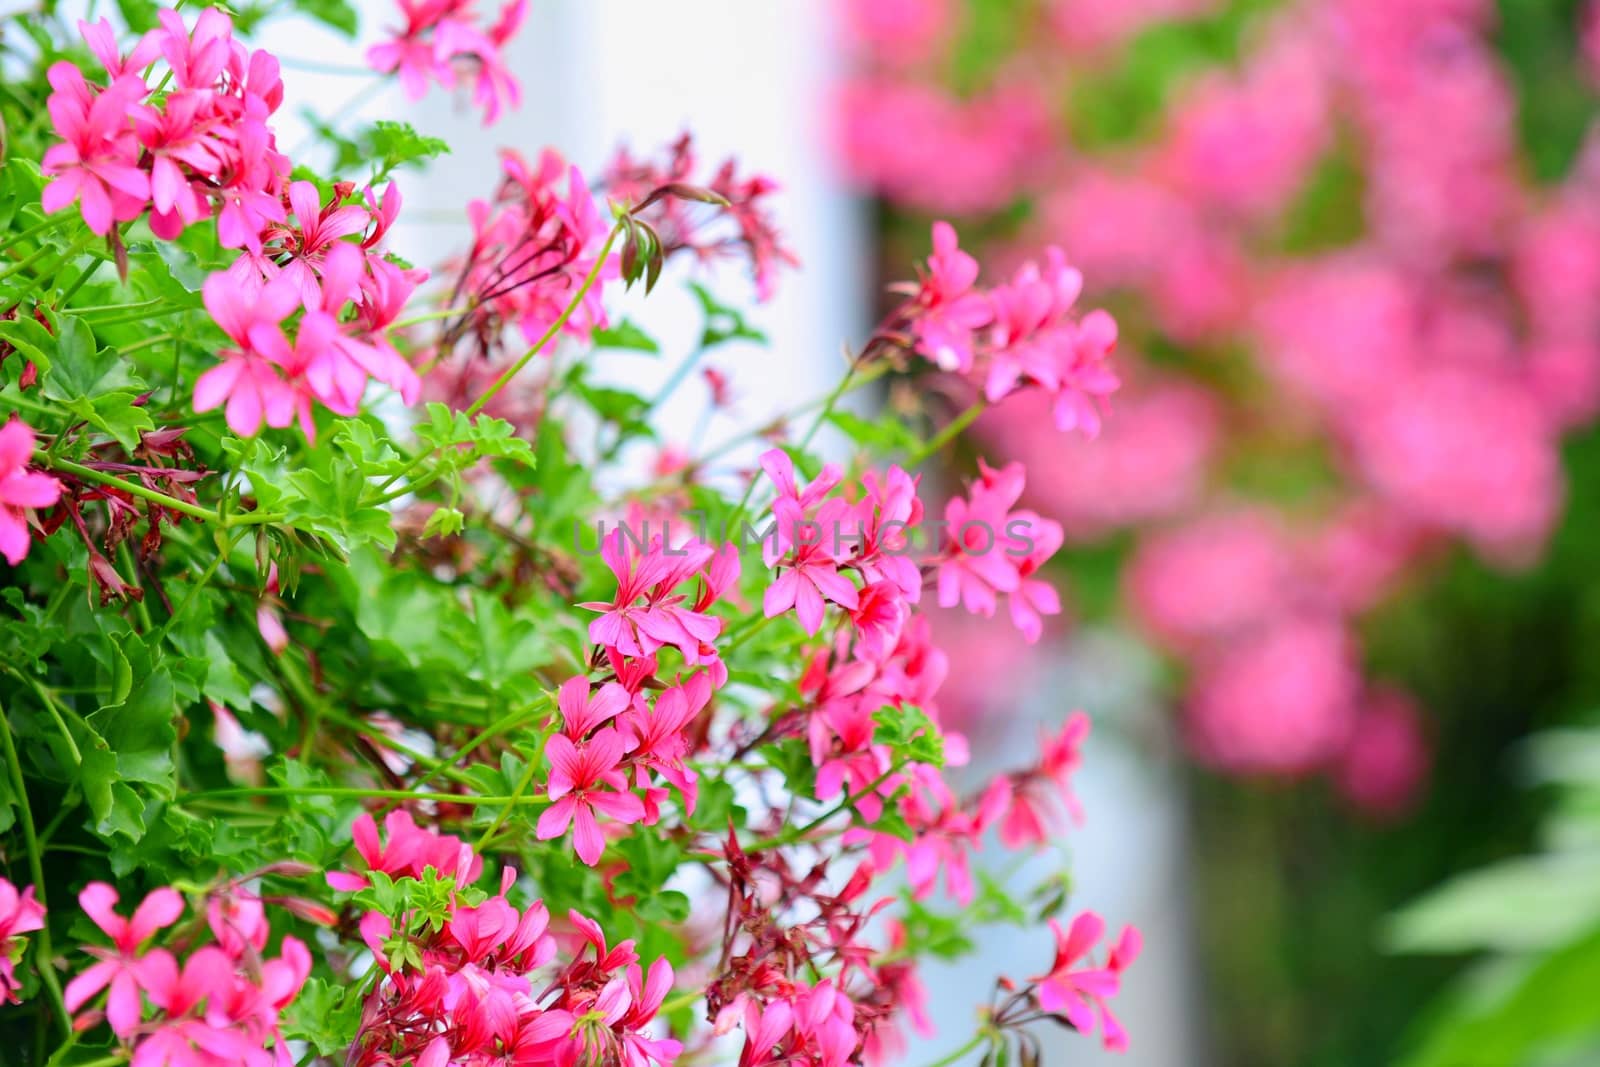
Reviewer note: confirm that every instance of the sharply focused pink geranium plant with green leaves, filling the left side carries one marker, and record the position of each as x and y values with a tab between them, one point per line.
358	626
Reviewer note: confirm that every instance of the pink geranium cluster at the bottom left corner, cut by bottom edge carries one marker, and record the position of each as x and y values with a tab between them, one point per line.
222	1001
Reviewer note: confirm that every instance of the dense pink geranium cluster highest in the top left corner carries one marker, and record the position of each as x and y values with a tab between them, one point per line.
191	146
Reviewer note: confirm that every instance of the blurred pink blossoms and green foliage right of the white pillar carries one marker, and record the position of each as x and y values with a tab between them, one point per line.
1348	495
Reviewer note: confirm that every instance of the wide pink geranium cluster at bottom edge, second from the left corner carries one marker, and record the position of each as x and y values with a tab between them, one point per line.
458	986
